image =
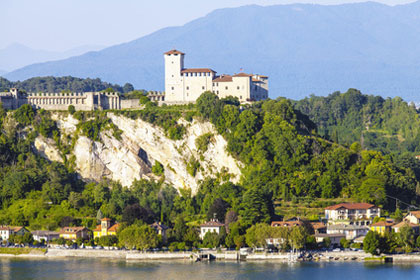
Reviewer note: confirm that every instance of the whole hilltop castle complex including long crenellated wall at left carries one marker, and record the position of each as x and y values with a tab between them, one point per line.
182	85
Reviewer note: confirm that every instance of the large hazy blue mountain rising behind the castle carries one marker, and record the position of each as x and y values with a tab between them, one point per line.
304	49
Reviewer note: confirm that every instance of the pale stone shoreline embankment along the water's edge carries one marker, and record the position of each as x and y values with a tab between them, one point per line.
335	257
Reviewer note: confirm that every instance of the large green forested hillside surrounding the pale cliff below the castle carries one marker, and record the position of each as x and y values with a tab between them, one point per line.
283	157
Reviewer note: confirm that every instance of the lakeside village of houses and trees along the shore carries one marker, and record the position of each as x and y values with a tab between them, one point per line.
346	225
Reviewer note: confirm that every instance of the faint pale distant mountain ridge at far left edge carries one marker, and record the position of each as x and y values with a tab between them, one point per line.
17	55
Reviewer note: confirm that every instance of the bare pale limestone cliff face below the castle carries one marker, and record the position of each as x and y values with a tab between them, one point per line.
140	146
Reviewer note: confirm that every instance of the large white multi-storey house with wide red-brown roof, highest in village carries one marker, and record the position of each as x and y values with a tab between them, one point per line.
352	213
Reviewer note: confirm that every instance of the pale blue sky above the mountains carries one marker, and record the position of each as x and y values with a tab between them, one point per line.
64	24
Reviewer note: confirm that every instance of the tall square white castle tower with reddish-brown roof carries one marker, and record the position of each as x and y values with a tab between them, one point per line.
174	63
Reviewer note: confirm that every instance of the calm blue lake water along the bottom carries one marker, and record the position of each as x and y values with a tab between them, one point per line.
72	268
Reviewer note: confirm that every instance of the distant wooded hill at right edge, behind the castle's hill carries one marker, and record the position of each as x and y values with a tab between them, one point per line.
386	125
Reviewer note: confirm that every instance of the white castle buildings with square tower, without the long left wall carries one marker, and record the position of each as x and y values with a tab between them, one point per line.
187	84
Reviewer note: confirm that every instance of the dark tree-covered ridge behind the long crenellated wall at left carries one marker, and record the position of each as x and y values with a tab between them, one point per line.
58	84
